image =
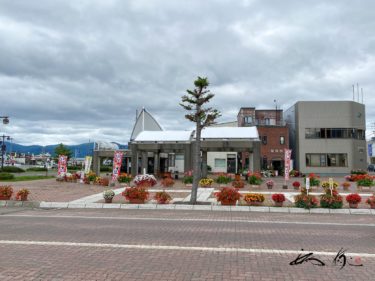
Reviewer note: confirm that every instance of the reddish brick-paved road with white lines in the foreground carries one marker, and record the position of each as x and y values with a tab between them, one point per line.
183	245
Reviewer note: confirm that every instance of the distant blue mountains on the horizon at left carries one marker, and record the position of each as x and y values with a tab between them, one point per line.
78	151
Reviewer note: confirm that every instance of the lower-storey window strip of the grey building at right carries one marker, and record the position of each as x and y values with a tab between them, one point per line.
326	160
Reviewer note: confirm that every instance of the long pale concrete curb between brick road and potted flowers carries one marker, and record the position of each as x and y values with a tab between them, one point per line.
261	209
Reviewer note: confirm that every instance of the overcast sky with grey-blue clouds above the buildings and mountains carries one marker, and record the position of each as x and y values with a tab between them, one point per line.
73	71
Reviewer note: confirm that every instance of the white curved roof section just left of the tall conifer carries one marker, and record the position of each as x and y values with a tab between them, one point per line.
164	136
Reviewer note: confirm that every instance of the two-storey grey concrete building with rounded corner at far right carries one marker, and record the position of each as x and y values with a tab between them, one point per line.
327	137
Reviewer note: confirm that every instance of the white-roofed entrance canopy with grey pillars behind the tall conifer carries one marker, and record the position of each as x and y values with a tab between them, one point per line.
148	147
